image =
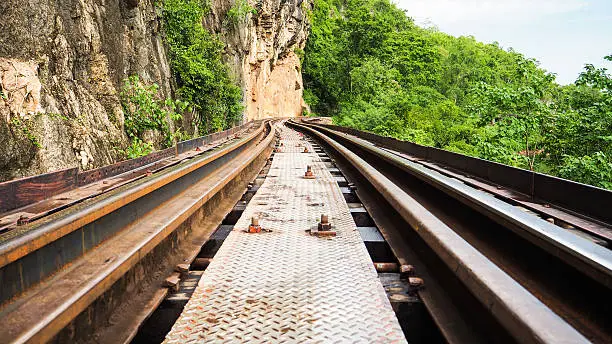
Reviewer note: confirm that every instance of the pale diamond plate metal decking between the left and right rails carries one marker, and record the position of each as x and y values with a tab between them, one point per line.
285	285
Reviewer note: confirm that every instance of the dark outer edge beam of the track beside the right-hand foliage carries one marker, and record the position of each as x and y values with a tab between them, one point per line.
561	201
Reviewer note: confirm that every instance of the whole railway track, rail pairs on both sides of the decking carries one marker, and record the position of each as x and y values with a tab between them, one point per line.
498	265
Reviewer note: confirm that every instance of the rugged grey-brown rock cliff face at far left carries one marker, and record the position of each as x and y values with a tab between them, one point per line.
61	68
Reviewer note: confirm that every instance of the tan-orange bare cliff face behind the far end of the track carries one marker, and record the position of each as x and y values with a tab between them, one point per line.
262	50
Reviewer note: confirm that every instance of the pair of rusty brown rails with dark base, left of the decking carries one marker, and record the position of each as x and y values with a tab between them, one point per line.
66	275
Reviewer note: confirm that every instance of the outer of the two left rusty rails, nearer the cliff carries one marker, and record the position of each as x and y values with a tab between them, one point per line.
47	245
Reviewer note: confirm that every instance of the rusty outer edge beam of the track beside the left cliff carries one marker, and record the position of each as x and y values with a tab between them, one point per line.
31	198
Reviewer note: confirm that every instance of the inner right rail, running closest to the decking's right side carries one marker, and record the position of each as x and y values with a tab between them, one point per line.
521	313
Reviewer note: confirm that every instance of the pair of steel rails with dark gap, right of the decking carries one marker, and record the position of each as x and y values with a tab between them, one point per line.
540	282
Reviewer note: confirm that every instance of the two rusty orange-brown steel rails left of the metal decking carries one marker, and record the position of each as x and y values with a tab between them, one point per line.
60	266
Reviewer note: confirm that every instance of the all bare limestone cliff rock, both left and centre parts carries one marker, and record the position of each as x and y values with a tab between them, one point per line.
62	64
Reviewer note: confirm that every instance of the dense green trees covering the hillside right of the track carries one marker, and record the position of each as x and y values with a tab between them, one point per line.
370	67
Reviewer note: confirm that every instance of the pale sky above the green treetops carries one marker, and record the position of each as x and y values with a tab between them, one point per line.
563	35
